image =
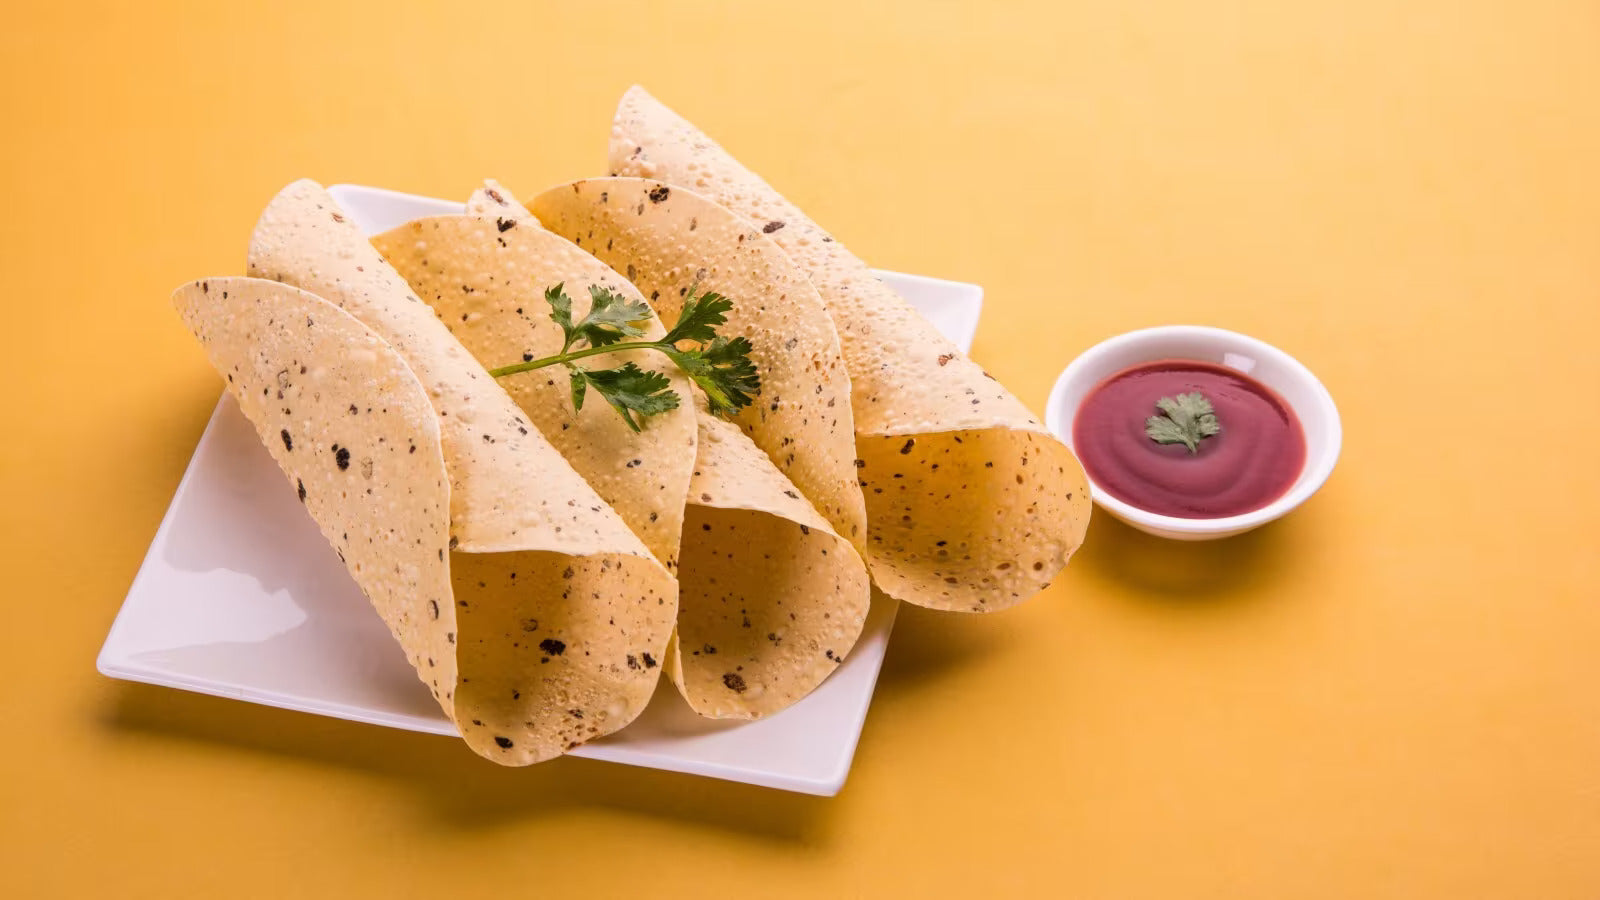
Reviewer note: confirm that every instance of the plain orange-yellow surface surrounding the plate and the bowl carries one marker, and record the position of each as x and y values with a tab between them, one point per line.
1396	693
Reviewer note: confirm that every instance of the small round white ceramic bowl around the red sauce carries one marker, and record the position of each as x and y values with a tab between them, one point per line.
1262	361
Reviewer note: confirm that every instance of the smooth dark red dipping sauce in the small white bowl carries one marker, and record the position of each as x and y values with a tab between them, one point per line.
1252	462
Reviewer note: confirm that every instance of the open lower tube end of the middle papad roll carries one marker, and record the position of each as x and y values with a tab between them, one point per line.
772	597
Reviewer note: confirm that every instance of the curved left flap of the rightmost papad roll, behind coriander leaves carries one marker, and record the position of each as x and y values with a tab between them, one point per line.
666	241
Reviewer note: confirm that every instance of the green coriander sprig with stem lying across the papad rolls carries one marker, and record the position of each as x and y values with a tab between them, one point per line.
719	366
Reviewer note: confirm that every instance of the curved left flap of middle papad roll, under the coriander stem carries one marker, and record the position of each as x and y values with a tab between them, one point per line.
486	278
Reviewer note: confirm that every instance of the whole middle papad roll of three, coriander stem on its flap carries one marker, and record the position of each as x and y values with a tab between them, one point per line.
770	597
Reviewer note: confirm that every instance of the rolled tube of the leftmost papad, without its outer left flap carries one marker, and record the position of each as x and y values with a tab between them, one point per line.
553	592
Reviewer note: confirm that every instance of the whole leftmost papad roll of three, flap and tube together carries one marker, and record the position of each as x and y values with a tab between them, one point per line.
556	613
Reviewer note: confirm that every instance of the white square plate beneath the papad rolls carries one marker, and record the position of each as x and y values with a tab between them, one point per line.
241	597
